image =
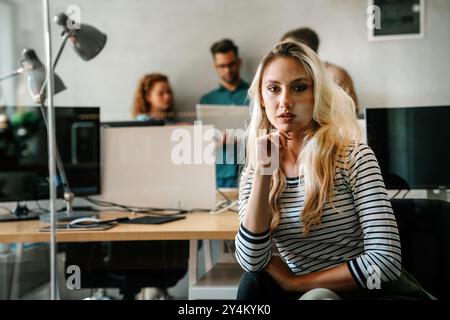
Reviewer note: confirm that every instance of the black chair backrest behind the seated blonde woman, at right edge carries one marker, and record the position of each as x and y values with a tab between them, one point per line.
424	226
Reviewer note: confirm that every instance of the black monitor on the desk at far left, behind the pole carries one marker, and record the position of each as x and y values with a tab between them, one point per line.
24	155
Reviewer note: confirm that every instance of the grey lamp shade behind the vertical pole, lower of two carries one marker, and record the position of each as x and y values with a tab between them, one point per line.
35	72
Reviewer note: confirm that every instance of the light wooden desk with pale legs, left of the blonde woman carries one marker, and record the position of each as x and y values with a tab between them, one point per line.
197	226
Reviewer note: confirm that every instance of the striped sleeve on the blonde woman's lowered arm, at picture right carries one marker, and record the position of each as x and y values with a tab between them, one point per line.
381	260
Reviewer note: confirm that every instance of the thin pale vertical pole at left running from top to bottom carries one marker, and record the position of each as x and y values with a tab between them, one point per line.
51	148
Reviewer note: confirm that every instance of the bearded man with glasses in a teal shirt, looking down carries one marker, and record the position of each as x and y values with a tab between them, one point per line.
231	91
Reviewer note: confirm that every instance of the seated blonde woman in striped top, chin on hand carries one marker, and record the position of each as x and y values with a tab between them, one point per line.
325	205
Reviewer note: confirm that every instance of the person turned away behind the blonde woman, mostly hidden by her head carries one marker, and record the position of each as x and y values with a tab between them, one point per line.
338	74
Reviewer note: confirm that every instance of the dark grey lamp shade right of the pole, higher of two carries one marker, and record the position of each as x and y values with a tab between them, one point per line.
87	40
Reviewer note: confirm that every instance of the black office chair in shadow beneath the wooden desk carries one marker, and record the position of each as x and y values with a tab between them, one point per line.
129	265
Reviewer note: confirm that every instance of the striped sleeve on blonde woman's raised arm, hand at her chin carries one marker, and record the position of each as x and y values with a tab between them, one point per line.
253	250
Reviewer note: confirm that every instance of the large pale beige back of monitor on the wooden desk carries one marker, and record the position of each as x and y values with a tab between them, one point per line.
138	167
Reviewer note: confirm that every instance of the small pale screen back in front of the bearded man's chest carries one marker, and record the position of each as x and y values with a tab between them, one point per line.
223	116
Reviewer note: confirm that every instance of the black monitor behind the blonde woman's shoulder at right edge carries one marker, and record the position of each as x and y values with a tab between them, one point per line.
412	145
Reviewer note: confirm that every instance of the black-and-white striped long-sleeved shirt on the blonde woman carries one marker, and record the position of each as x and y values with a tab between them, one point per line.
362	231
